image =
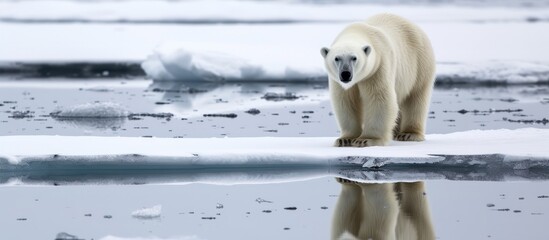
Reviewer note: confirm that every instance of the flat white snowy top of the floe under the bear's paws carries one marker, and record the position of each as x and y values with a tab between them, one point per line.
515	145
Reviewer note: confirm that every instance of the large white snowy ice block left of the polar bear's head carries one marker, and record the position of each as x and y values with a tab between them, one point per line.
232	62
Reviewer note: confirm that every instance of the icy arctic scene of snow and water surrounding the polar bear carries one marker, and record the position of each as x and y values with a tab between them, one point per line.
212	120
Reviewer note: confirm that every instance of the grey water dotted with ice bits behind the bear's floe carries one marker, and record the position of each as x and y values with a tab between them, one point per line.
239	110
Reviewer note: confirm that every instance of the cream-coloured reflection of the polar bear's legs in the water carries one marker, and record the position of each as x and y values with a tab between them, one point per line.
382	211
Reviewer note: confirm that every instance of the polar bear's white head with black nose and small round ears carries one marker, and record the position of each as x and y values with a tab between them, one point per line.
348	65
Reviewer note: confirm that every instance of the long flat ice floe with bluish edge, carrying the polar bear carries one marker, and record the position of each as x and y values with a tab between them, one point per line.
242	159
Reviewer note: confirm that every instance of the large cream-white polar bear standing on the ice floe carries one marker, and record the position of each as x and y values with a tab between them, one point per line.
381	73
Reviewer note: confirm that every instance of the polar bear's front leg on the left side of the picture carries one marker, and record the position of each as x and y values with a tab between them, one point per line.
345	104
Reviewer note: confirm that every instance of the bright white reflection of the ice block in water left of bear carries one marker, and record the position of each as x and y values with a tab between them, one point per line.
192	99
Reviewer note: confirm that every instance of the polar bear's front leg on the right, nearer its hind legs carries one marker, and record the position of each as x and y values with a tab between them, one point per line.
379	113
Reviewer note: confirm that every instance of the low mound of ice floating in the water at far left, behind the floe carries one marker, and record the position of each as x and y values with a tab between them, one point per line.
92	110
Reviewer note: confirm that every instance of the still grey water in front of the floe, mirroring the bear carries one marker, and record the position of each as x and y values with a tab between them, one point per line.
306	209
